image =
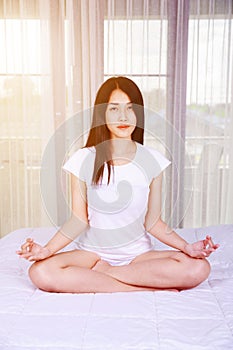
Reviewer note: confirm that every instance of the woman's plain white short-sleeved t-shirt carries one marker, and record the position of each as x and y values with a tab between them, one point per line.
116	211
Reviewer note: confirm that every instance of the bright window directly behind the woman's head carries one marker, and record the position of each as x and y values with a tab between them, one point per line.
137	48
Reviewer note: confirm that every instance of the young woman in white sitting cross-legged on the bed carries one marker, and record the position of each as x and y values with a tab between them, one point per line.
116	207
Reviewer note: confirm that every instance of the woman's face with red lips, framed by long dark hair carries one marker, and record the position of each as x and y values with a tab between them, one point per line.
120	117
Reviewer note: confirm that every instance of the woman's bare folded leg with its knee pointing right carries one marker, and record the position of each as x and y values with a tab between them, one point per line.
166	269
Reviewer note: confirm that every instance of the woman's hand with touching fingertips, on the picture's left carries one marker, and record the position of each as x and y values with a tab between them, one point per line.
33	251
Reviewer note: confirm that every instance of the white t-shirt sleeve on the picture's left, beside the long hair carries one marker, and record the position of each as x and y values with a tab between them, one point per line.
79	163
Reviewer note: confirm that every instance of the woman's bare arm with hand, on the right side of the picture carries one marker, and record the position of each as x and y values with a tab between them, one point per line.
160	230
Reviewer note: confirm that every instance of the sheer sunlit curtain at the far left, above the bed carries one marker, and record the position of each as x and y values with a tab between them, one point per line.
26	111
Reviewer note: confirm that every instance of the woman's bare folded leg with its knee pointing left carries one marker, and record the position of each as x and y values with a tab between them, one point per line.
71	272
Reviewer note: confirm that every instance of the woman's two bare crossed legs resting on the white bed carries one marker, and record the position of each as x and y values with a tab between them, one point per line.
84	272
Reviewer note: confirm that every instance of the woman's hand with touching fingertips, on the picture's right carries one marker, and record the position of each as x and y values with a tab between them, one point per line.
201	249
